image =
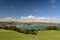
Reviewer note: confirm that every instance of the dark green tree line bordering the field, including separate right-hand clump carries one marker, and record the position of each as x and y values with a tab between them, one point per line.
28	31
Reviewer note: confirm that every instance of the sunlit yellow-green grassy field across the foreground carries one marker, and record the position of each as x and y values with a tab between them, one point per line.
42	35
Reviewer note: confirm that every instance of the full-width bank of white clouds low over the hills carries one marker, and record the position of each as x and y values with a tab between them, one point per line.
32	19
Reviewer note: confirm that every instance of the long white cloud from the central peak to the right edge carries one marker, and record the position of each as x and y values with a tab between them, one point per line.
38	19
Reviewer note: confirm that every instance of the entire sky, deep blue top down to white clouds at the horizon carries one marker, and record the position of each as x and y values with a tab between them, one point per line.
30	10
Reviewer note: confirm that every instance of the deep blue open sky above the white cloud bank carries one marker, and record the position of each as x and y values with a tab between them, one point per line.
19	8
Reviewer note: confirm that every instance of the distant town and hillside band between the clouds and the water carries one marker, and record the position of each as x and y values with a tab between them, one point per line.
12	24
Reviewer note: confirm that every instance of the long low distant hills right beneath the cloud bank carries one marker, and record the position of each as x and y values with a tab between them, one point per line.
28	23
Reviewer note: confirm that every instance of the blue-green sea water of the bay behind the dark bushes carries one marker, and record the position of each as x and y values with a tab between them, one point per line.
34	27
